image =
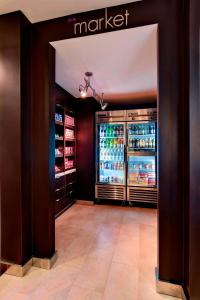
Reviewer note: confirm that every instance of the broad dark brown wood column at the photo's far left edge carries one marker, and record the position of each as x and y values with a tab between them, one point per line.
15	138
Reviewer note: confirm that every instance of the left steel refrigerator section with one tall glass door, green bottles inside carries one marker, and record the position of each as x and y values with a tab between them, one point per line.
110	155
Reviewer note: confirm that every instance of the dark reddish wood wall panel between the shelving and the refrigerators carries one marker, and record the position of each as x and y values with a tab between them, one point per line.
86	149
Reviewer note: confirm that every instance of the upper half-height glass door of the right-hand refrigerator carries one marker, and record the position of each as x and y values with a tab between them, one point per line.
142	137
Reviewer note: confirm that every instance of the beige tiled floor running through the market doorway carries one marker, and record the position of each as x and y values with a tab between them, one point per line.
104	252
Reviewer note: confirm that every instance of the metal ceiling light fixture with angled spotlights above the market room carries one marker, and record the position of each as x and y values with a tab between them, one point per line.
83	89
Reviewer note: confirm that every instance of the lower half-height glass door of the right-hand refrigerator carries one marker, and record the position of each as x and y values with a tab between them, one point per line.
141	171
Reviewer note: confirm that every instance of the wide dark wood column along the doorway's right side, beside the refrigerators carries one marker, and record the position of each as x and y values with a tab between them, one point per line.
173	140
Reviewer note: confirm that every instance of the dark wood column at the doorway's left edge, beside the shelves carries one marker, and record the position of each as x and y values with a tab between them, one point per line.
43	147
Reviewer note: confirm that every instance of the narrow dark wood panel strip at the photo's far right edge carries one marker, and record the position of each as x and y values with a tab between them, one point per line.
194	262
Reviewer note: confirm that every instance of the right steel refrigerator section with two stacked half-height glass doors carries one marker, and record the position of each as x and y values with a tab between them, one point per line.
142	155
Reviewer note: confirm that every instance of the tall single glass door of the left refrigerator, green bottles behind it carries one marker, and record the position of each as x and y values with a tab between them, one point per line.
111	138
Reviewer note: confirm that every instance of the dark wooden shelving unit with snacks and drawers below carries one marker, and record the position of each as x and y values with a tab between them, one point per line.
65	161
